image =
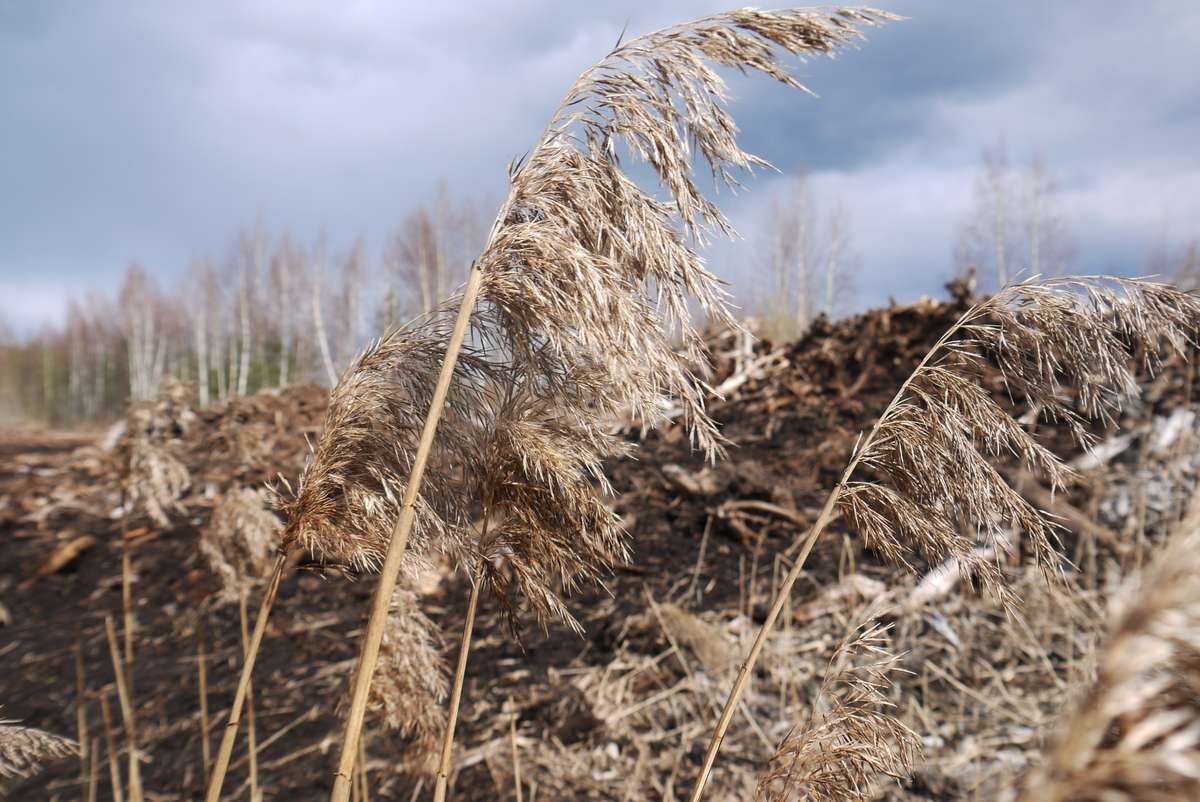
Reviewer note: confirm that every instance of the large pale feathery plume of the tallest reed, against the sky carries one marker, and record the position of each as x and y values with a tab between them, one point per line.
587	262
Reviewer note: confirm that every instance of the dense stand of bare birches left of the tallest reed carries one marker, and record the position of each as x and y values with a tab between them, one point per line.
273	313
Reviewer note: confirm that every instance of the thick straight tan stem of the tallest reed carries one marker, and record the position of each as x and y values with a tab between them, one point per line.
370	654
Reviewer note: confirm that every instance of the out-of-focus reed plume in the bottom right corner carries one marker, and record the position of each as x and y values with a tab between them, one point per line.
1136	735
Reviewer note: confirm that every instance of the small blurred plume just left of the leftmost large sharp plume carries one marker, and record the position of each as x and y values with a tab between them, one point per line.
241	540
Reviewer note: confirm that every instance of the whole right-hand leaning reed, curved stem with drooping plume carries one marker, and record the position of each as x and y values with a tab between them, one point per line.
1069	338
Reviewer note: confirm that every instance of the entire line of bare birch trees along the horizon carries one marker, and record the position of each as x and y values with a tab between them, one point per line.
277	312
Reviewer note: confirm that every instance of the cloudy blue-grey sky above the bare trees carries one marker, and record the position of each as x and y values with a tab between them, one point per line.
153	131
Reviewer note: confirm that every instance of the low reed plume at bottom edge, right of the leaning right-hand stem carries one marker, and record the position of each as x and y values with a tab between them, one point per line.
850	741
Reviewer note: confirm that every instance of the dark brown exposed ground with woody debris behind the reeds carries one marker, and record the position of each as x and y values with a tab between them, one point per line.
623	713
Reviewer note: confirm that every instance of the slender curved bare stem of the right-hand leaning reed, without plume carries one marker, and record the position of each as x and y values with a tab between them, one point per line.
811	540
